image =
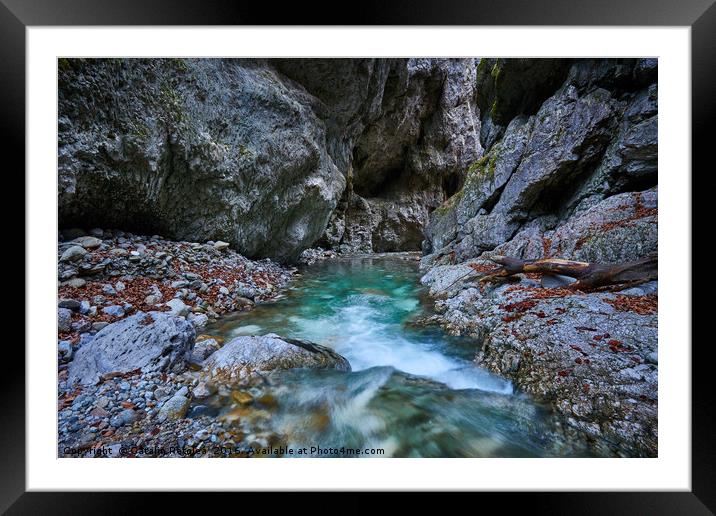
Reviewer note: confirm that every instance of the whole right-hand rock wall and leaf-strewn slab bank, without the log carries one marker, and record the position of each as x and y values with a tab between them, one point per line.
569	171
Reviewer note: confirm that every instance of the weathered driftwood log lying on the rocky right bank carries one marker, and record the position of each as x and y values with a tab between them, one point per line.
588	275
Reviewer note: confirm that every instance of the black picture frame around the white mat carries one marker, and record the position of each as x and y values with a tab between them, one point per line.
700	15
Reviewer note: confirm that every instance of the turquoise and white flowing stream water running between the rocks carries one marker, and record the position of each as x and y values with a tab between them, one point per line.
413	391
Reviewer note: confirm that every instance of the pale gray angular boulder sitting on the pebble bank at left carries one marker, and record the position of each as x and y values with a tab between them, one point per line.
151	342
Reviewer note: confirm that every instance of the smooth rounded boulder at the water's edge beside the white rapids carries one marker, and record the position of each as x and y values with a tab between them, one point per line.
270	353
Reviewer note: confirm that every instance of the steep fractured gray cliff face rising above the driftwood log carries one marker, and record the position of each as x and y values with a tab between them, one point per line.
593	138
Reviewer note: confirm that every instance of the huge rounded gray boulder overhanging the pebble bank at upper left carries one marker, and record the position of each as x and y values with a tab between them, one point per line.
196	149
